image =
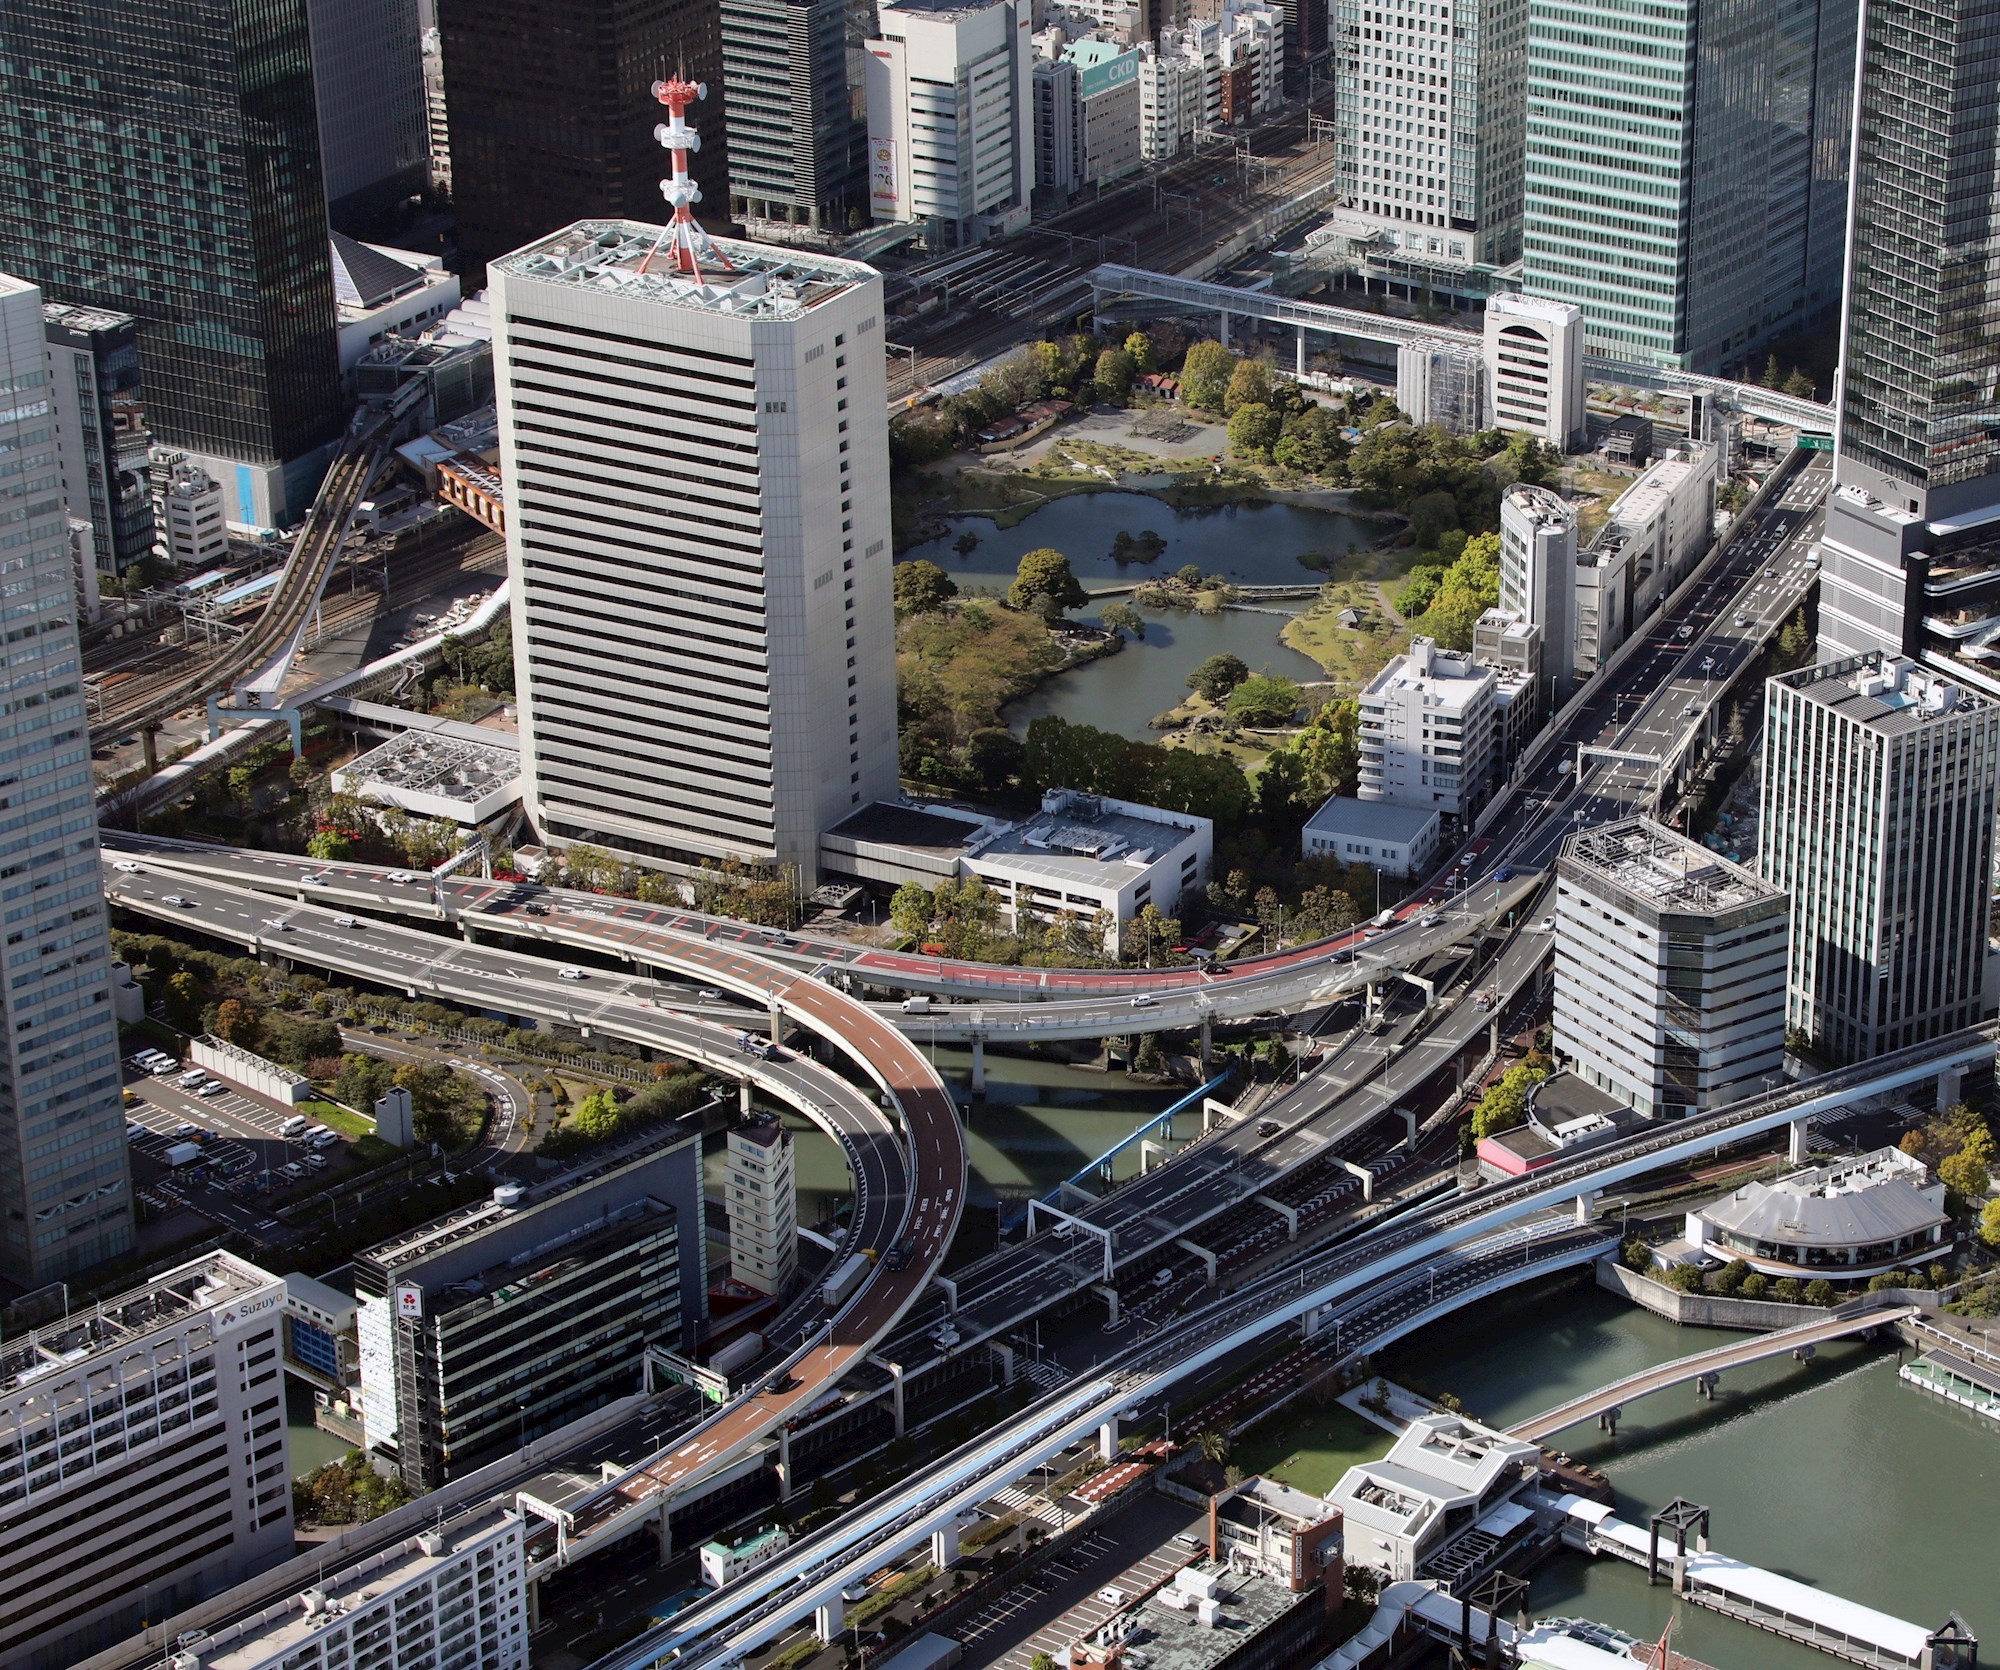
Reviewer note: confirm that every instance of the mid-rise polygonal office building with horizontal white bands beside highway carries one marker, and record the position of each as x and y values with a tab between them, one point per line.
1669	969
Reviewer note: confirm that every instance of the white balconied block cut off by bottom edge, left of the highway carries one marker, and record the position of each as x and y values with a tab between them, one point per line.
451	1595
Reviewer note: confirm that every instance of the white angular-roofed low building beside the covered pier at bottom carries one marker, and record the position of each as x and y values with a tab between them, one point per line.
1441	1481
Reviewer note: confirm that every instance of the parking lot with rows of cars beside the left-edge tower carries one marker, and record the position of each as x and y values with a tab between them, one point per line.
245	1165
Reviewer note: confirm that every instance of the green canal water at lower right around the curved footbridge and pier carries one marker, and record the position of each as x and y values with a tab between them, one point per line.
1833	1473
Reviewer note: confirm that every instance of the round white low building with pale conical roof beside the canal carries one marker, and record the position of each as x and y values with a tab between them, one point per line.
1845	1221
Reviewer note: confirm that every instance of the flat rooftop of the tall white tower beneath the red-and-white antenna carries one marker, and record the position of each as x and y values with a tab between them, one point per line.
761	281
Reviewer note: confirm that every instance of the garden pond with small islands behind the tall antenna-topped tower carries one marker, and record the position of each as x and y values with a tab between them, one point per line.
1251	543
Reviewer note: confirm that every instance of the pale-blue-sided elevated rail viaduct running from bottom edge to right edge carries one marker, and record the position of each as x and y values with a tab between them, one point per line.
753	1613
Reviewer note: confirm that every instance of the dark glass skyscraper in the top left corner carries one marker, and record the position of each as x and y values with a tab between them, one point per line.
163	159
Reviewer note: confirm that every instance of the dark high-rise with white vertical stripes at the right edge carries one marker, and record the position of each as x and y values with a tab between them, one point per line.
1881	785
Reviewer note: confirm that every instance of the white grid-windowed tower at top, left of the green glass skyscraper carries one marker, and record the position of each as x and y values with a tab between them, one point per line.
1429	99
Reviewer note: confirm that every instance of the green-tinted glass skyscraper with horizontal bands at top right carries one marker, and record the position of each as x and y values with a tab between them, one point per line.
1685	177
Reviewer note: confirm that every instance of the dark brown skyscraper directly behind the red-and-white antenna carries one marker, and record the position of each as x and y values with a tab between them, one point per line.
551	113
